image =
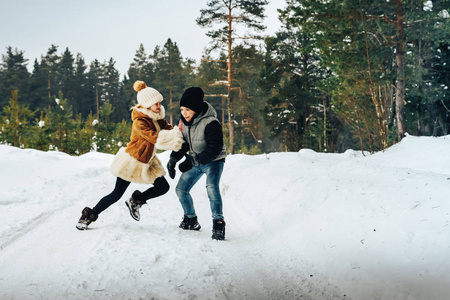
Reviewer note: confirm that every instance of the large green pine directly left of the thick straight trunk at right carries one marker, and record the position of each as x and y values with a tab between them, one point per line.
351	44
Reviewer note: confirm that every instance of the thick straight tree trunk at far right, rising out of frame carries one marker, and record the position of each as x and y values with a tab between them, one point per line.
400	90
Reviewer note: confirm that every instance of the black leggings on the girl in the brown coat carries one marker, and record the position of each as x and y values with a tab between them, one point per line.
160	187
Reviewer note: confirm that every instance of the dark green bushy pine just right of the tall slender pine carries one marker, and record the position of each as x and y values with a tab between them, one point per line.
290	82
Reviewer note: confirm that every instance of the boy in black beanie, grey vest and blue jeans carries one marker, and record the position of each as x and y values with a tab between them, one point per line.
205	154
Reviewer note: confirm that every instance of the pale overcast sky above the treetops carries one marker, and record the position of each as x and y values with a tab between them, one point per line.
101	29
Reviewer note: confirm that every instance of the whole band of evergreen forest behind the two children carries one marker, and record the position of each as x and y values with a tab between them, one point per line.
337	75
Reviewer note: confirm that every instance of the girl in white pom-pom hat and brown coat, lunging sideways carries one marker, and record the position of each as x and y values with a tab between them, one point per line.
138	161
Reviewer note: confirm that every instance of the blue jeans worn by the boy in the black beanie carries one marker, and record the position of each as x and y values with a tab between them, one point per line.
213	171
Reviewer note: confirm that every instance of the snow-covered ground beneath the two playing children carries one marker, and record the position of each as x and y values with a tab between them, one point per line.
300	225
